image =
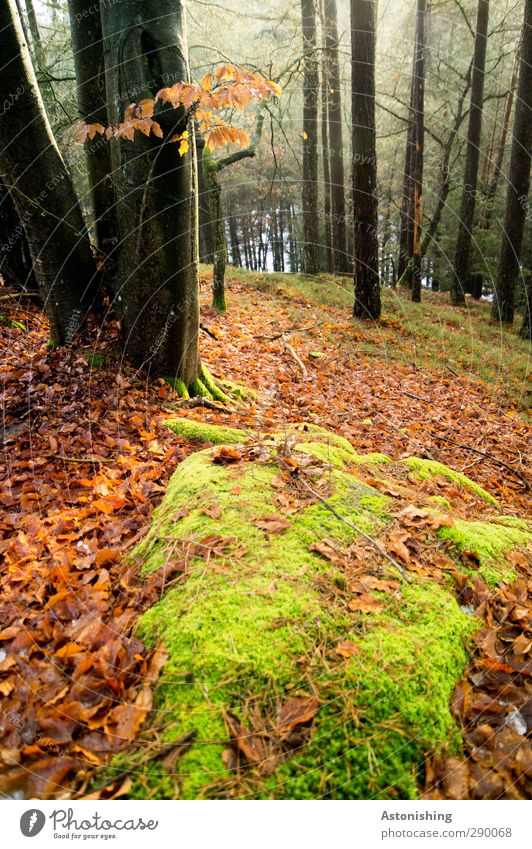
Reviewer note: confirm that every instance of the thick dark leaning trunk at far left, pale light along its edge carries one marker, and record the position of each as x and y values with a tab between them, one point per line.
40	186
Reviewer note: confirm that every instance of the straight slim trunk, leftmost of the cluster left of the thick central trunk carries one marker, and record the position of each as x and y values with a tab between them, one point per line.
310	139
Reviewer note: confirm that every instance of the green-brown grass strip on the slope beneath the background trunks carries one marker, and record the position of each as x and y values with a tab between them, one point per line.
433	334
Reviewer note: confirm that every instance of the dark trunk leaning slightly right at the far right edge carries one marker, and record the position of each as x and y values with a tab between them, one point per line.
518	183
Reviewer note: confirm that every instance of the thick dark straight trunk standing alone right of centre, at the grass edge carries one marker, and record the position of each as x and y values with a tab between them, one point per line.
365	202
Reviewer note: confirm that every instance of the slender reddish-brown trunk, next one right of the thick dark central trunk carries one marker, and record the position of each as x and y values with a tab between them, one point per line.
417	153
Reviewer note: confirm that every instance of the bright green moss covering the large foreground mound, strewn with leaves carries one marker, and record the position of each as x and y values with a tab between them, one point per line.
261	614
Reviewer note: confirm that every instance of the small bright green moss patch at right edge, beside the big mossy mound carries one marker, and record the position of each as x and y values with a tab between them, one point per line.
490	541
